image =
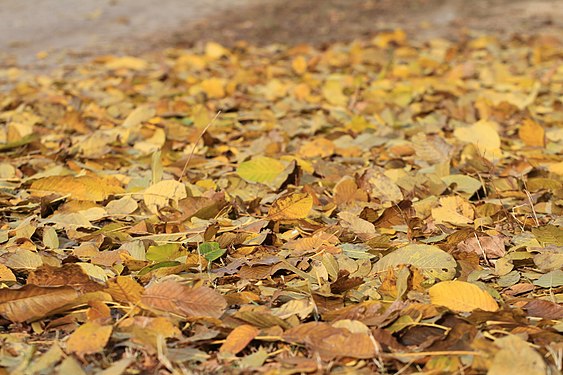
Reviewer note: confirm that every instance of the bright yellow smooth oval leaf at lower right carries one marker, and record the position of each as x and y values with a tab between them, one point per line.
461	296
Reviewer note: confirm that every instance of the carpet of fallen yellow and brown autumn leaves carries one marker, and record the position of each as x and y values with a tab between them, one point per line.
382	206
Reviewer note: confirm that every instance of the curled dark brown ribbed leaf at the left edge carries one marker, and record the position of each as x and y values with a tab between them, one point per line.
33	302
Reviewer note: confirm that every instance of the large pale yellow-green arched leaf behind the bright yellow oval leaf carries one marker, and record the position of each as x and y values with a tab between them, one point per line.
431	260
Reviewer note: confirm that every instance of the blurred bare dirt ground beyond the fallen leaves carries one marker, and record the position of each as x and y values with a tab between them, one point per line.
44	33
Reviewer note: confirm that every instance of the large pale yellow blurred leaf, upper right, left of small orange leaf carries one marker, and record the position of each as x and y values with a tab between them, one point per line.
484	135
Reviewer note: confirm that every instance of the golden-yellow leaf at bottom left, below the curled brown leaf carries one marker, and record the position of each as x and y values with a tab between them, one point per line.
90	337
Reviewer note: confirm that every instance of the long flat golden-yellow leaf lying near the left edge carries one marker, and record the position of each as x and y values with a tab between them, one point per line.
86	188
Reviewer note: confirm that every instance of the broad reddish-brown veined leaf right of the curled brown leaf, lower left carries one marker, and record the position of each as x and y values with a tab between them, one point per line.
182	300
